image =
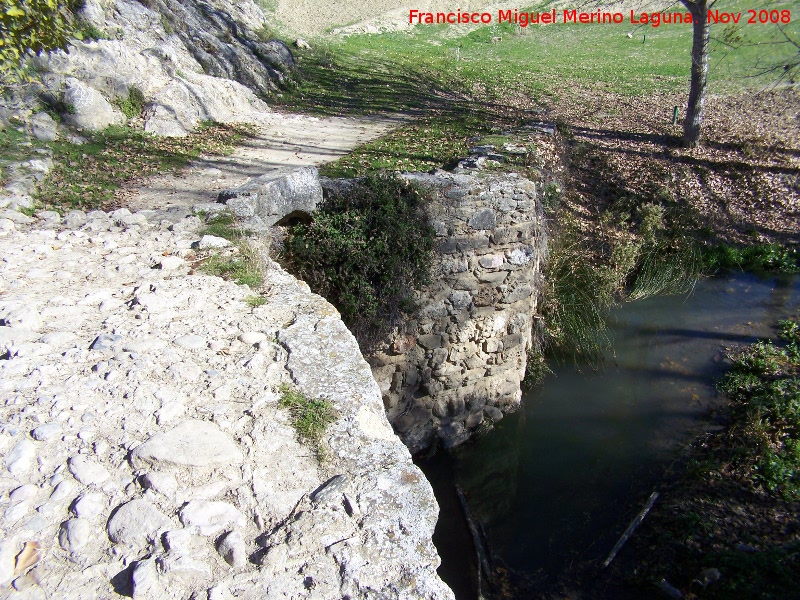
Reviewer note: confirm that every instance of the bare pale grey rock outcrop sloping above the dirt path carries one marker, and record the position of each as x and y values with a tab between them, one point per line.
192	61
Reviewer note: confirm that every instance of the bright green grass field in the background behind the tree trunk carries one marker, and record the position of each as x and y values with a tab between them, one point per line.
432	65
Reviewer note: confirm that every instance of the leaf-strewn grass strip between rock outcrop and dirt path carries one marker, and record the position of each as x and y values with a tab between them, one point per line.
88	175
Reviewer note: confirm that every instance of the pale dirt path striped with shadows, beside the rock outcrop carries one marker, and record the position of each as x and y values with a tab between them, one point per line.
281	141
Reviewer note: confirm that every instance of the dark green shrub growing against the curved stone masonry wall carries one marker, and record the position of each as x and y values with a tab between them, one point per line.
366	251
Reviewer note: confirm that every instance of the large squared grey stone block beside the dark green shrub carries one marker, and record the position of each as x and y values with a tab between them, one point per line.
275	196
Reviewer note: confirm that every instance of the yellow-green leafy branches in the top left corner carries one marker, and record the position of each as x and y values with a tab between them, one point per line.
30	26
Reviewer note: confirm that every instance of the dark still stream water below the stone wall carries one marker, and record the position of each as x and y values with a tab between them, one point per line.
558	481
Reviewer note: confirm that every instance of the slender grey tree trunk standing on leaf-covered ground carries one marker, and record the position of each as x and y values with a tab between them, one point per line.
701	33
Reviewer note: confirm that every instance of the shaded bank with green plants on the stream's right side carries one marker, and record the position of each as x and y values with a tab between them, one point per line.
737	508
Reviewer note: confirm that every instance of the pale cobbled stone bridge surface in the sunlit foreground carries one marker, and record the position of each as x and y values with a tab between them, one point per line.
139	466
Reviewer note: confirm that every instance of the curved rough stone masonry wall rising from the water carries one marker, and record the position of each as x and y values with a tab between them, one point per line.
466	355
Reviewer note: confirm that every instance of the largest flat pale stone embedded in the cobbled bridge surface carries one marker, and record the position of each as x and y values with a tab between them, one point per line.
192	443
